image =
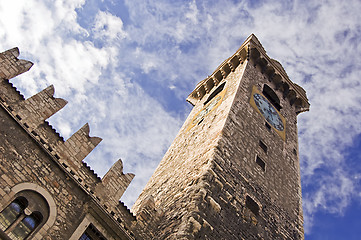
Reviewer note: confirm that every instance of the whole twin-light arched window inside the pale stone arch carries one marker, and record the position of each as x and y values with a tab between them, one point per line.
23	216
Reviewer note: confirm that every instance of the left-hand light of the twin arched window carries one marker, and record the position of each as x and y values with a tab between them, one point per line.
12	212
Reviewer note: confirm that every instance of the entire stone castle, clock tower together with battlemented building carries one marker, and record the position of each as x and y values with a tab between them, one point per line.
232	172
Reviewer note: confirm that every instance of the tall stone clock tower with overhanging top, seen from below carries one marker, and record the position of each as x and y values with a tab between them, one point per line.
233	170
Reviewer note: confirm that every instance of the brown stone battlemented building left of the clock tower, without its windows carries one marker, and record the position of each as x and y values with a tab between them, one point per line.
35	159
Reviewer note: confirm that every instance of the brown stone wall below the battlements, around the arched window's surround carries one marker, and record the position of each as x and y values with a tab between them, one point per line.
23	161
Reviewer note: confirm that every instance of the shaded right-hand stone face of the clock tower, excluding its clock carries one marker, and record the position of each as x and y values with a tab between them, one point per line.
236	175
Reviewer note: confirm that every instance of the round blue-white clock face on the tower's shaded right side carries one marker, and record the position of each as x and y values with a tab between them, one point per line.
268	111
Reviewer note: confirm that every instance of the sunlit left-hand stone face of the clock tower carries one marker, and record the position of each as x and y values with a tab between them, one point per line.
178	184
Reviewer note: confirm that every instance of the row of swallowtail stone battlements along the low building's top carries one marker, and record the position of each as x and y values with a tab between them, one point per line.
31	115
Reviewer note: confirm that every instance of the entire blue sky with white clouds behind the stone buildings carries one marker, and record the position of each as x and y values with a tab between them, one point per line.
126	67
